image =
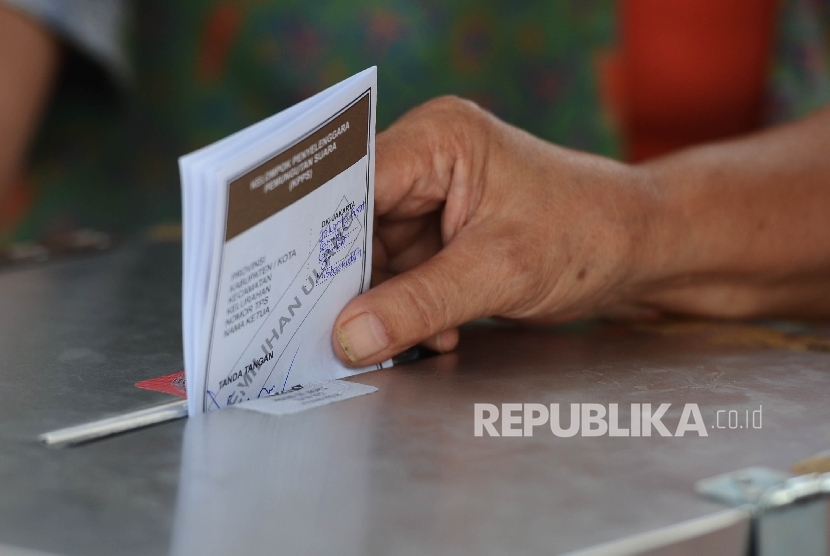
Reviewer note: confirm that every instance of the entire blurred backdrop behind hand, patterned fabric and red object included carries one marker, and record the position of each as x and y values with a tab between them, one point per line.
139	84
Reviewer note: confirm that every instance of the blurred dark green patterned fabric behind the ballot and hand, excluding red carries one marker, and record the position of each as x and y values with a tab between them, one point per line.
204	69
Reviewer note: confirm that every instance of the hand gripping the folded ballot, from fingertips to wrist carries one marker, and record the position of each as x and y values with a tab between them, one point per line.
476	218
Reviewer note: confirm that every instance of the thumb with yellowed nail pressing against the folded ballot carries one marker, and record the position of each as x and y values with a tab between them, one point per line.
440	294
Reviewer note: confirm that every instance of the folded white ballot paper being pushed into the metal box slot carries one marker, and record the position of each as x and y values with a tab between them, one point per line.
277	223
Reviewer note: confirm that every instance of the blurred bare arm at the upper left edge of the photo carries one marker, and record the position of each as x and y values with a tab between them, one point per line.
29	57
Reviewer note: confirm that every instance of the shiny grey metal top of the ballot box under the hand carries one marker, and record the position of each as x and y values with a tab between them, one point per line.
395	472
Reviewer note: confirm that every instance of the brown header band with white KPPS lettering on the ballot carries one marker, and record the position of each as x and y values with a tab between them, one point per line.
294	173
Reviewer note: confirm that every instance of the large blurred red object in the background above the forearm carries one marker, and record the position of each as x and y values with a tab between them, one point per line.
689	71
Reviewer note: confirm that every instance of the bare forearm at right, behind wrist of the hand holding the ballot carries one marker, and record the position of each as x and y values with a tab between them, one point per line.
742	228
